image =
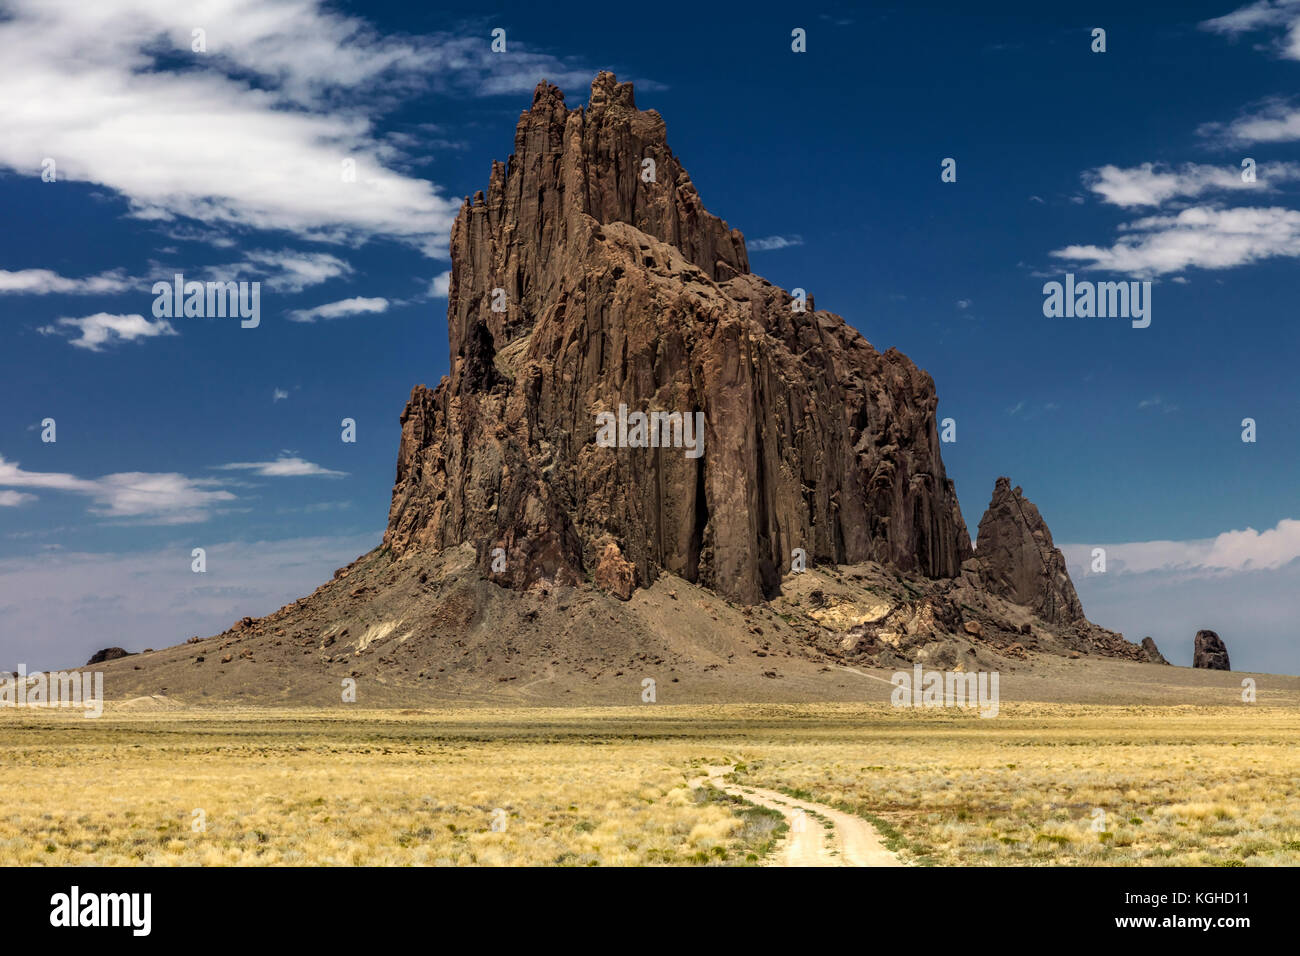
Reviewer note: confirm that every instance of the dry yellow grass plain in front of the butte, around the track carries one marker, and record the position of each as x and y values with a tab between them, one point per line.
1175	786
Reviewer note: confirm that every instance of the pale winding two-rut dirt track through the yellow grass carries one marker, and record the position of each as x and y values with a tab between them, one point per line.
848	842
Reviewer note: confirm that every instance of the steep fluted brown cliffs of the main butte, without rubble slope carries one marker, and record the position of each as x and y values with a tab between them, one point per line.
619	289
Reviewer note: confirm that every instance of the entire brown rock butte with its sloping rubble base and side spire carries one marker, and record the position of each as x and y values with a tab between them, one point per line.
538	552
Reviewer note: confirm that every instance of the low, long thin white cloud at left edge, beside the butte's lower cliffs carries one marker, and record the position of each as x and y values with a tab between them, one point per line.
157	499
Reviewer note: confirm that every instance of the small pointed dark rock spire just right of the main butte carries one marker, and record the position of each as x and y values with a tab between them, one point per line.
1017	560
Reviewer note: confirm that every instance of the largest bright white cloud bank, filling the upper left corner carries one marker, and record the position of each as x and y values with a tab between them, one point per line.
187	135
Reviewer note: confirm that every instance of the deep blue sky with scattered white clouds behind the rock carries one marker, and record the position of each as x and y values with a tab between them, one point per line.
224	165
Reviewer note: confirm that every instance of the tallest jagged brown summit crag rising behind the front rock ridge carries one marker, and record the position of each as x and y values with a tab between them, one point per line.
570	167
